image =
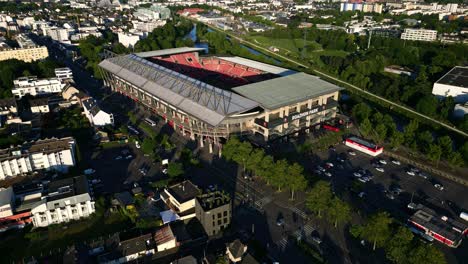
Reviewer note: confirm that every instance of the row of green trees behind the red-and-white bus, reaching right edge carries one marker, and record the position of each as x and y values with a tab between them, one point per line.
383	128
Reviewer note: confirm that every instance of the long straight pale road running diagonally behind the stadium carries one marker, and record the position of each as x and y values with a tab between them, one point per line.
273	54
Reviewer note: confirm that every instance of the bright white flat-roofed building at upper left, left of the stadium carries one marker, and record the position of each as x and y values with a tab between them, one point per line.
34	86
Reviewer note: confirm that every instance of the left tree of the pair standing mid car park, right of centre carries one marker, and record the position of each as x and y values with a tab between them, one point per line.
319	197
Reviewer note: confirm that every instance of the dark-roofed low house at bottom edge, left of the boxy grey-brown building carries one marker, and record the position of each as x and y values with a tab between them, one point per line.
129	250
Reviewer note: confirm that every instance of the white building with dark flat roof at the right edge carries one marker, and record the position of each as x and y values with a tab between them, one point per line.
454	83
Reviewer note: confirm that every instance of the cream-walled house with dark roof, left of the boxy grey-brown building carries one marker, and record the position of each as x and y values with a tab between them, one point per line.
180	198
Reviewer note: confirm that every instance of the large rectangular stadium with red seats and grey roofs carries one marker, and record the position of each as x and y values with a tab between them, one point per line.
212	97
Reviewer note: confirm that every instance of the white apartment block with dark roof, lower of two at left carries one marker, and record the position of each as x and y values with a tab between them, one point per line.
66	200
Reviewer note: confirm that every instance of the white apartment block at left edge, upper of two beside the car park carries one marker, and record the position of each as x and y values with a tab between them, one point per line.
47	154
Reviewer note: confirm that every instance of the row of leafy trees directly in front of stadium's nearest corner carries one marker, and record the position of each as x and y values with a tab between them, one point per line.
279	173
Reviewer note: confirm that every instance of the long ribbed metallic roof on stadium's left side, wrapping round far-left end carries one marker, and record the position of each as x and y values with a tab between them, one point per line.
201	100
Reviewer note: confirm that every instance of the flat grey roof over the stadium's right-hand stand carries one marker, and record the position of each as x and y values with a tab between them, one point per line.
286	90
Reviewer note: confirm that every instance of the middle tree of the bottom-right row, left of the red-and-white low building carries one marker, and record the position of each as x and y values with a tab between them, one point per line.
398	246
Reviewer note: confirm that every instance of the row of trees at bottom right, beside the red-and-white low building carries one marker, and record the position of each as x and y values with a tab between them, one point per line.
398	241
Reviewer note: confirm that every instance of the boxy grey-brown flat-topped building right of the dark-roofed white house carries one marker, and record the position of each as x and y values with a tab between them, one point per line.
213	210
